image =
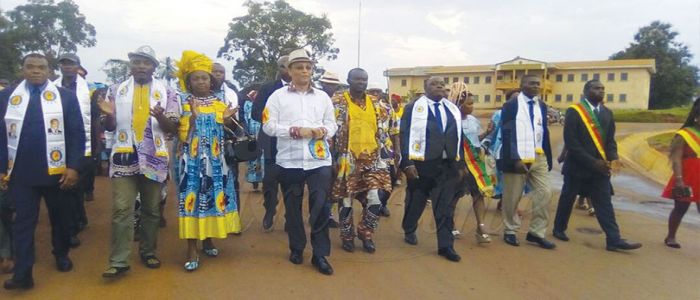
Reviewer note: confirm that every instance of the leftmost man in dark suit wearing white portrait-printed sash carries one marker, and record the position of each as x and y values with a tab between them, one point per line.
30	180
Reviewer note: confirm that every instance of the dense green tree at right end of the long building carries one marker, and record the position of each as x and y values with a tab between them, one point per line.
675	80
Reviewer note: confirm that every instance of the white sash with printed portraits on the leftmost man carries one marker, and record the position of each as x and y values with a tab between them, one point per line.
52	113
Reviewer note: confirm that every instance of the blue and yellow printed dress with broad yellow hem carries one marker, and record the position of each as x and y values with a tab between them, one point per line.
206	195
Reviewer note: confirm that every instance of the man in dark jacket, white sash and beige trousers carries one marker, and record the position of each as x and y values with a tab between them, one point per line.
526	157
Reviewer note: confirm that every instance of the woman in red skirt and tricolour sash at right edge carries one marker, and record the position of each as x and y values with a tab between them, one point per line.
684	186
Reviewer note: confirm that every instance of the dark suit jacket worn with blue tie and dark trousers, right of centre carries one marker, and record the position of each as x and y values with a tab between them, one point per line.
436	141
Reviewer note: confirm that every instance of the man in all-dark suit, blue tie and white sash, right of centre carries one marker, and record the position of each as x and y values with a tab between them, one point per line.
435	172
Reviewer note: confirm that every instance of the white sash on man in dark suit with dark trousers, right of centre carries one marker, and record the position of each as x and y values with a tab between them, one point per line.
419	123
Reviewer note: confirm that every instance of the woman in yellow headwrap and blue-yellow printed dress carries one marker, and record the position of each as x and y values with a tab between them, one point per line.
207	199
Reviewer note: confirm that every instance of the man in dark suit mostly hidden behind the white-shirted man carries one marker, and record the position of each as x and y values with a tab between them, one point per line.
269	144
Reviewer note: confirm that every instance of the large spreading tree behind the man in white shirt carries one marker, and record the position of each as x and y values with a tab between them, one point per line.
270	30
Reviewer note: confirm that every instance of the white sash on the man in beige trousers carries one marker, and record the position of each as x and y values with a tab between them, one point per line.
529	141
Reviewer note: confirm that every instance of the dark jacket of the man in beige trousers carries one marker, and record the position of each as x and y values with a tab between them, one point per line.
509	149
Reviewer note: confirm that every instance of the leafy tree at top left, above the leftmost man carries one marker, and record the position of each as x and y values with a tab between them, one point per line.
50	28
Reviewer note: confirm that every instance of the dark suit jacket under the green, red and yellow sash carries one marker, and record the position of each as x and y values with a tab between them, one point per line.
582	152
